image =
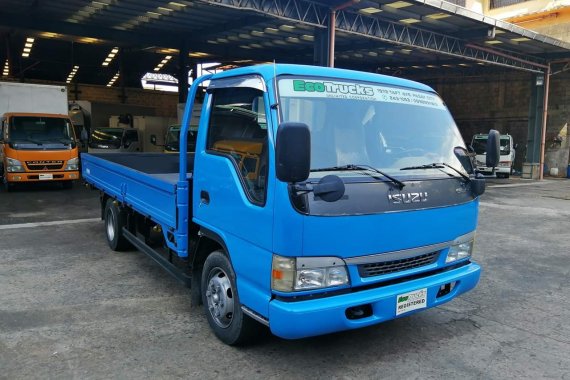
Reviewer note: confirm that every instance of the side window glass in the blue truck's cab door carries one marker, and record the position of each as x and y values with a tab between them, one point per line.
238	130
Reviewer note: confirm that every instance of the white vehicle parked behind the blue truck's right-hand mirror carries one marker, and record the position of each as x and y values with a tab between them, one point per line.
506	159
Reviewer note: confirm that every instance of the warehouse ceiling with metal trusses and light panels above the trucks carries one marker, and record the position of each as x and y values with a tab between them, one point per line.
93	40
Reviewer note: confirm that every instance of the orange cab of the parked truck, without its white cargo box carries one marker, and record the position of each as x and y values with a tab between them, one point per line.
37	147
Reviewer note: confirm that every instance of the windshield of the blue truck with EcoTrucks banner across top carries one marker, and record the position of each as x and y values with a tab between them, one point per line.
388	128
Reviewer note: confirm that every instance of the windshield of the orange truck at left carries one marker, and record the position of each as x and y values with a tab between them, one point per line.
40	130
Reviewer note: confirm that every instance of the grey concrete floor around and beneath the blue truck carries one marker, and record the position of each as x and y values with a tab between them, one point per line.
71	308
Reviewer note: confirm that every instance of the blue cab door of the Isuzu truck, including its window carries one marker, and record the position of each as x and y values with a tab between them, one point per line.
232	186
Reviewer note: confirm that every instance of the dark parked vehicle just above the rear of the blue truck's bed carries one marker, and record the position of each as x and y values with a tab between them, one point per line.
115	140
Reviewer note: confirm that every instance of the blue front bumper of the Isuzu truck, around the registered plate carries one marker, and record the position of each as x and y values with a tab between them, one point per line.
300	319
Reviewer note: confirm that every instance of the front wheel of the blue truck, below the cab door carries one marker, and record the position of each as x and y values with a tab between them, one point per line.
221	302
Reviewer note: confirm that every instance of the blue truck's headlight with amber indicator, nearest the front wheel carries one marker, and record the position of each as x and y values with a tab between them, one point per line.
306	273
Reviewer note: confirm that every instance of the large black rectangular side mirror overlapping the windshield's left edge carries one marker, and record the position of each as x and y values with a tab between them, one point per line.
293	152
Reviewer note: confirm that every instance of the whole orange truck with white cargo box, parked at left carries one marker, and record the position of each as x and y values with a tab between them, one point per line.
37	140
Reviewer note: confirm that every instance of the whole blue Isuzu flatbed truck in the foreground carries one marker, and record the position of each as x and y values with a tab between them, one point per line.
317	200
